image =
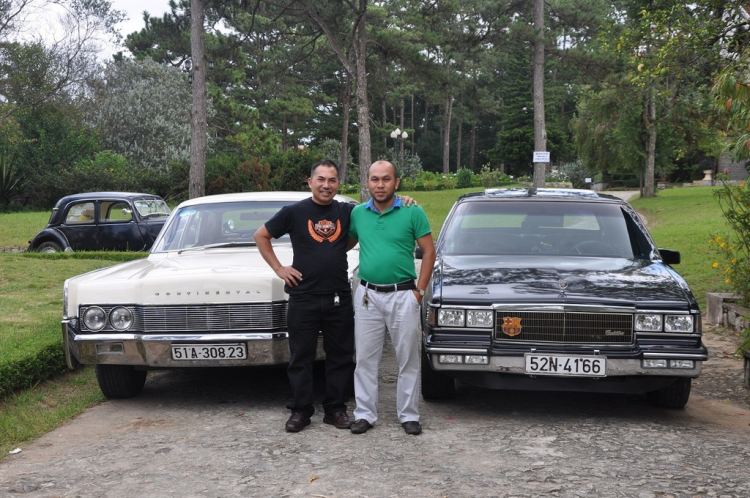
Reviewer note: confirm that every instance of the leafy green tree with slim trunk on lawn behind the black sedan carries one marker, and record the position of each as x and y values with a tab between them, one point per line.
663	61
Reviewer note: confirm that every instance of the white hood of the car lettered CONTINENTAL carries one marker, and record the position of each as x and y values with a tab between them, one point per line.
214	276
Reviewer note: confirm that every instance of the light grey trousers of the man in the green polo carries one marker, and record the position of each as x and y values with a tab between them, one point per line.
398	314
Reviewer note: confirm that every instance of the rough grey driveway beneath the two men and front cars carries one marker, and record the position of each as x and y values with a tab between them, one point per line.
220	433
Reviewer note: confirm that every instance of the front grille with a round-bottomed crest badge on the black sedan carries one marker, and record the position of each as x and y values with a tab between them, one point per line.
565	327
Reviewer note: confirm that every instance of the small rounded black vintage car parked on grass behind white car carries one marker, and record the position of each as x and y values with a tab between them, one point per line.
102	221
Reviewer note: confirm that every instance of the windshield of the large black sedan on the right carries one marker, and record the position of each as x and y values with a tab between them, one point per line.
539	227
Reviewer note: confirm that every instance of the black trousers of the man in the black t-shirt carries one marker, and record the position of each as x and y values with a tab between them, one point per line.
308	316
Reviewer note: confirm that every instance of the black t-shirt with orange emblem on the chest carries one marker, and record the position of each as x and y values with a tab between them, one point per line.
319	239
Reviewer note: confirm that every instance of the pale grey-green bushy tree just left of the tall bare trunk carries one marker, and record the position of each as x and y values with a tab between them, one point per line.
142	111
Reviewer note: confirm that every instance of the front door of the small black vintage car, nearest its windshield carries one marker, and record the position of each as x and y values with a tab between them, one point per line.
118	228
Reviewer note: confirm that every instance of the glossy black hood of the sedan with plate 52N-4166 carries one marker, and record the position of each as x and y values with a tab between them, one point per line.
574	280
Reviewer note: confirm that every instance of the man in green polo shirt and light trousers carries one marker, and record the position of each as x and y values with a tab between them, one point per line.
388	299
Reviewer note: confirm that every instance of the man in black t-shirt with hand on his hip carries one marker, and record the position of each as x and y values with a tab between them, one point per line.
320	298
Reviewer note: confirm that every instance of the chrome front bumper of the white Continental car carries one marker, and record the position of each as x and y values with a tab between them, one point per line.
154	350
